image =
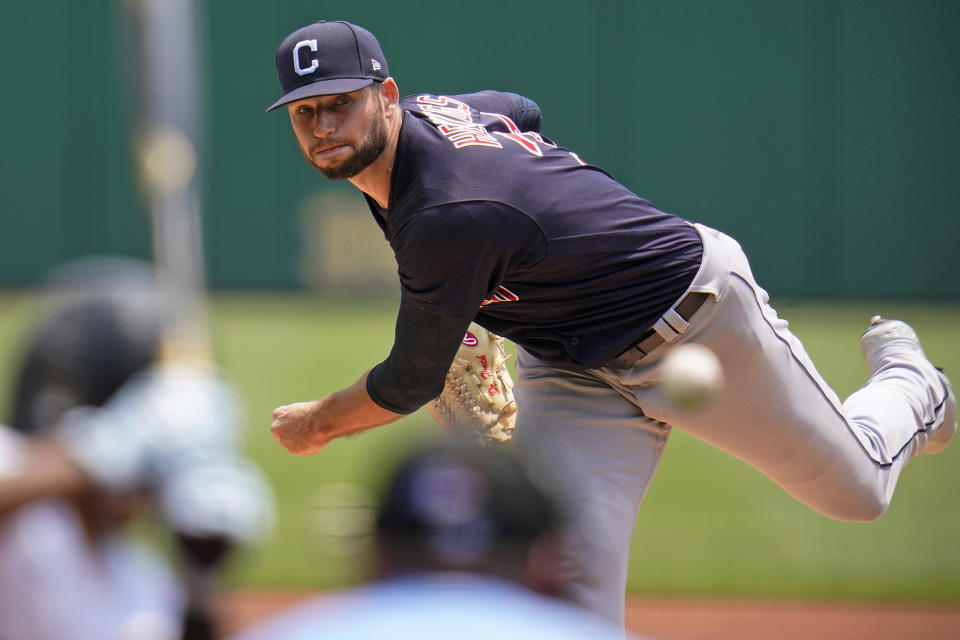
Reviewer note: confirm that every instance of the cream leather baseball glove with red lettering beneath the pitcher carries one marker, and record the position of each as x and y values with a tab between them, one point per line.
477	399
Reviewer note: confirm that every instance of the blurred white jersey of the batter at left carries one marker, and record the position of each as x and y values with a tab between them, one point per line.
54	584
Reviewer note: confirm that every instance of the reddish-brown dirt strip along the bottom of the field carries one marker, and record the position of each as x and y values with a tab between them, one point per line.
679	619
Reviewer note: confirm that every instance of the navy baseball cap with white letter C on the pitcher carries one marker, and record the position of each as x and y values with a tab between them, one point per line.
327	58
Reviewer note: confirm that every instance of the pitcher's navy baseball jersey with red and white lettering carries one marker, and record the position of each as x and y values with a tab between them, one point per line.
492	222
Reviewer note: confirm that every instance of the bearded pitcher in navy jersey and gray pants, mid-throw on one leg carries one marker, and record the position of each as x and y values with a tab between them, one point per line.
494	223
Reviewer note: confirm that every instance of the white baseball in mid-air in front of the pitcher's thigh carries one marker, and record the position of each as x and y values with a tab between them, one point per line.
691	376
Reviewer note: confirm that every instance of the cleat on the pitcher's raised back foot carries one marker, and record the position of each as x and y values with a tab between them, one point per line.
891	335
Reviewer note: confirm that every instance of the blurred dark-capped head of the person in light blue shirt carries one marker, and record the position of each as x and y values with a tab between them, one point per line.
460	507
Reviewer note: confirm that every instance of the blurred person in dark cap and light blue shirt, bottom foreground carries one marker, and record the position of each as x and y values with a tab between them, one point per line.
466	548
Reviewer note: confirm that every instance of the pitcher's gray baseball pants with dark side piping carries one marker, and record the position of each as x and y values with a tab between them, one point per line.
596	437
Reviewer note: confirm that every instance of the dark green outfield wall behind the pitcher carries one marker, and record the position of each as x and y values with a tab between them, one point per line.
824	134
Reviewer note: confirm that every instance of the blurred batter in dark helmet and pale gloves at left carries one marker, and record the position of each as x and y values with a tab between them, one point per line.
100	429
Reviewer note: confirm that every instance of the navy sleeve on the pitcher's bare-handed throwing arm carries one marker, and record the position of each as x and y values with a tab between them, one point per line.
450	259
